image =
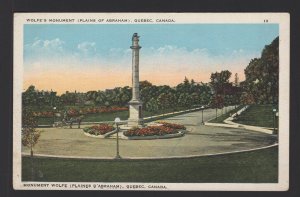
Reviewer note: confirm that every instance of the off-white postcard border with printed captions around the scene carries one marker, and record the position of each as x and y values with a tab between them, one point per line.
283	19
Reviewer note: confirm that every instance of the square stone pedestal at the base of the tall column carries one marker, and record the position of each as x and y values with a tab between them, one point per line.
135	114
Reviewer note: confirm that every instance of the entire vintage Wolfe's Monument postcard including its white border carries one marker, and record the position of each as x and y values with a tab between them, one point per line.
151	101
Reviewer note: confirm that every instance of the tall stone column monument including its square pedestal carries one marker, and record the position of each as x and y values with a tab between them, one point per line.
135	105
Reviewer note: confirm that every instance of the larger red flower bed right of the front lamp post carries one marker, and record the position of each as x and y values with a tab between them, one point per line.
164	129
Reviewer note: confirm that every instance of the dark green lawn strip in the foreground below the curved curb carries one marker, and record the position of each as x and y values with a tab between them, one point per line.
250	167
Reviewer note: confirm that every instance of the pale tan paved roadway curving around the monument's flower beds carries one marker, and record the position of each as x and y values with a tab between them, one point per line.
199	140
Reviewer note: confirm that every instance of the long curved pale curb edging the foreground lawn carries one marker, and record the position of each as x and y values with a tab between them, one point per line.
150	158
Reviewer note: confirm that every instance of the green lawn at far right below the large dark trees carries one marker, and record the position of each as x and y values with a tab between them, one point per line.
258	115
